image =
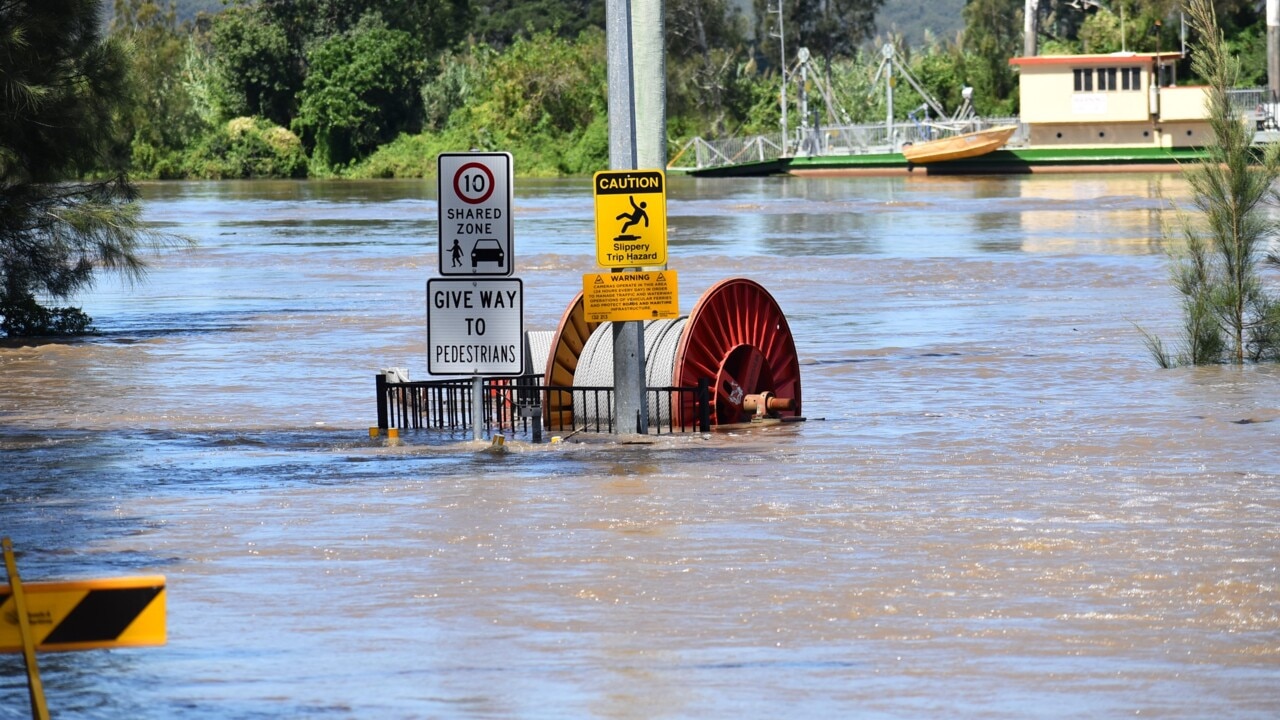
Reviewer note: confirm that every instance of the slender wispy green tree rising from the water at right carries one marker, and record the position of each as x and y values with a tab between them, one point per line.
1229	317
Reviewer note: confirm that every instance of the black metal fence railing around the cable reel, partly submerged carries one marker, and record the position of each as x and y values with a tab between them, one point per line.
524	405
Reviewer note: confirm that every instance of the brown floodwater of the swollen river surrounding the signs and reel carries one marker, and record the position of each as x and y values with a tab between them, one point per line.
999	507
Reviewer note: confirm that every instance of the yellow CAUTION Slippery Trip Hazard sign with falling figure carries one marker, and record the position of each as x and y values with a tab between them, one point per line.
630	218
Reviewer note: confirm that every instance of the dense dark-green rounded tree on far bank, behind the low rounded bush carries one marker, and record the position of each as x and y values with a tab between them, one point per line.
362	90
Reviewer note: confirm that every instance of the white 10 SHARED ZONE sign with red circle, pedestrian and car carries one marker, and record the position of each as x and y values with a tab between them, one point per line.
476	215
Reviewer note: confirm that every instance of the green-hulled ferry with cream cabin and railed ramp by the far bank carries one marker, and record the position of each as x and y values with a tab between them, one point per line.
1119	112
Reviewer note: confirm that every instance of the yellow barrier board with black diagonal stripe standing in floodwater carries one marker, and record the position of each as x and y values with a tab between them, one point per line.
88	614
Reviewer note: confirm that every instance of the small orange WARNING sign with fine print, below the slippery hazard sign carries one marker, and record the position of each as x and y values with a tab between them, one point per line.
623	298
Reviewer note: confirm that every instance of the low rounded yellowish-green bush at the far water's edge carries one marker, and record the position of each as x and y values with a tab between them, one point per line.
248	148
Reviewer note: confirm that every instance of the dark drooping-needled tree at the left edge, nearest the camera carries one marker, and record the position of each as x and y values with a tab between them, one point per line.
61	88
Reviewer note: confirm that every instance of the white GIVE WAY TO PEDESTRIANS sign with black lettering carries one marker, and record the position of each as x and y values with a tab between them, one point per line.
476	327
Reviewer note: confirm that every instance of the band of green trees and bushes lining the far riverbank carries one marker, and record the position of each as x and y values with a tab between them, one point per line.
529	80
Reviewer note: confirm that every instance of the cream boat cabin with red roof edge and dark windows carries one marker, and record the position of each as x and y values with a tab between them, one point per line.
1124	99
